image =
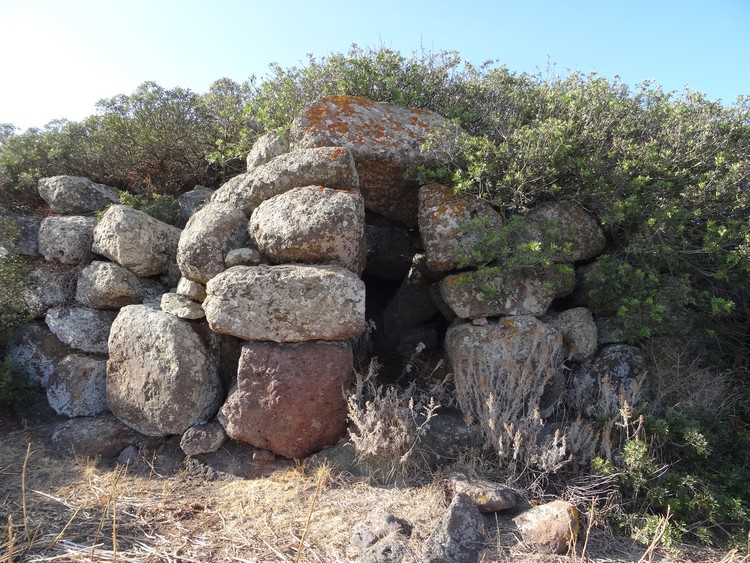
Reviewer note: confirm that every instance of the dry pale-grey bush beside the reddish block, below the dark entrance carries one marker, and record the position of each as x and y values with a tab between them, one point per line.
388	425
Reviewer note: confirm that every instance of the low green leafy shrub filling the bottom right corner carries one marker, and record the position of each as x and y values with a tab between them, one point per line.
696	466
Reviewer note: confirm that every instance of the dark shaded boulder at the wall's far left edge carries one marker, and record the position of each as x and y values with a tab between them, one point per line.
36	351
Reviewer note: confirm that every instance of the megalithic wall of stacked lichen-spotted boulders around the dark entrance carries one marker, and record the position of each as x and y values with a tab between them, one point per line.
267	275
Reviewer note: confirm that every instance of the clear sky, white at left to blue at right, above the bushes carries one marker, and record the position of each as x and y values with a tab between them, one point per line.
60	56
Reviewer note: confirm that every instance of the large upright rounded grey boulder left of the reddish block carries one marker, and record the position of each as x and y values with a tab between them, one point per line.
160	378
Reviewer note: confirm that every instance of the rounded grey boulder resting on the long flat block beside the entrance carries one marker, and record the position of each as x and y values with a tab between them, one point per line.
312	225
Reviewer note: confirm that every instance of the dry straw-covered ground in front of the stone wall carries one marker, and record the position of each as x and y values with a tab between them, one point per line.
164	507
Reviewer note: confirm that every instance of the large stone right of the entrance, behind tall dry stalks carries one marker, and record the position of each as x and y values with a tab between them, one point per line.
502	358
